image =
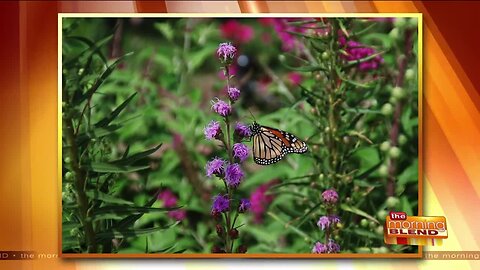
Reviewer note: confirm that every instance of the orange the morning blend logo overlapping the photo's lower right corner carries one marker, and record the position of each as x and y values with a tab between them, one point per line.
414	230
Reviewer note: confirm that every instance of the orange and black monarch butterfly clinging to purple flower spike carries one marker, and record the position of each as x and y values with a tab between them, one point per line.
270	145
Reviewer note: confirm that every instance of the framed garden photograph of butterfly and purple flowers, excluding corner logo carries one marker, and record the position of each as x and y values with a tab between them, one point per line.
245	136
